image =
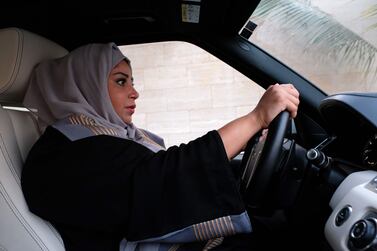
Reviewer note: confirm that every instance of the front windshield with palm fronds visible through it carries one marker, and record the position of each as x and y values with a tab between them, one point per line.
333	43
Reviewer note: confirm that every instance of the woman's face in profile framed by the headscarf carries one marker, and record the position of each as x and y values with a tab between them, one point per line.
122	92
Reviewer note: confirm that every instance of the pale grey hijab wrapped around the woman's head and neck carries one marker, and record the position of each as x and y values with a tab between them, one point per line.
77	84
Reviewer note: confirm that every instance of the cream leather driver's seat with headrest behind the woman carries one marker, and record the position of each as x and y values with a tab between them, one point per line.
20	51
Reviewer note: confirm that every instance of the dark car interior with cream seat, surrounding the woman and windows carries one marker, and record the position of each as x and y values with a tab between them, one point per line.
312	185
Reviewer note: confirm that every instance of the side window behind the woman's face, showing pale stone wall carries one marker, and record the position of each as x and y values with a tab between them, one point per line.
185	91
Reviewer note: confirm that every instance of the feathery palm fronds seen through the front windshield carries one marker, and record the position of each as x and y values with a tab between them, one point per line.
320	32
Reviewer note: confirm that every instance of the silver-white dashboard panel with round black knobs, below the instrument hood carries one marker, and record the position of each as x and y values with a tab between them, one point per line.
352	224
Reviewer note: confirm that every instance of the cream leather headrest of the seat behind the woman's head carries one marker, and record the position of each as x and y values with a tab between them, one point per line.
20	52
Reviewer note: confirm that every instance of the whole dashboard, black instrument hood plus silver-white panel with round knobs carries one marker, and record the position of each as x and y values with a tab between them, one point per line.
352	119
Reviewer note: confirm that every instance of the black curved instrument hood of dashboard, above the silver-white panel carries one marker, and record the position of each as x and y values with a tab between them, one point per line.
352	119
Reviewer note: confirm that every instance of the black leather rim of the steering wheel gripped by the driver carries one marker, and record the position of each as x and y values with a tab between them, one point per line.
256	194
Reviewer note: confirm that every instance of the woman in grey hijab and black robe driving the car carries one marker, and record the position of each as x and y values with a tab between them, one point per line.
107	185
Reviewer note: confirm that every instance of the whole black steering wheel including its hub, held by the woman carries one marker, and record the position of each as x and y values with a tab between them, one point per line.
261	161
